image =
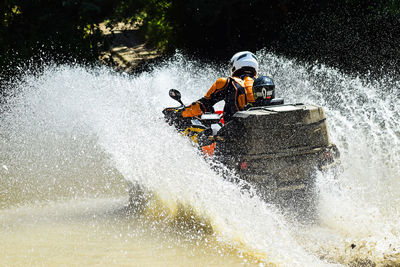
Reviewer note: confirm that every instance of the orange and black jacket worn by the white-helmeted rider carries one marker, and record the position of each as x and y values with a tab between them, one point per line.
236	93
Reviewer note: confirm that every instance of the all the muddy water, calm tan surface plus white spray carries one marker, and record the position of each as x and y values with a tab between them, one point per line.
72	137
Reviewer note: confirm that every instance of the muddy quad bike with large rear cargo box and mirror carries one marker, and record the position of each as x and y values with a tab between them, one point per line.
276	147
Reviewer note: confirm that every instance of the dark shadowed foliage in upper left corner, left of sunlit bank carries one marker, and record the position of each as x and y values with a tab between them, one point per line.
59	30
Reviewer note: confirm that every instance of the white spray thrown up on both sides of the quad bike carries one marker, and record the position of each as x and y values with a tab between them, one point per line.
71	124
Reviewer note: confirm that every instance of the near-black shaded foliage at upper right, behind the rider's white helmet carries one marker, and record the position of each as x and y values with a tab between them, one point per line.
349	34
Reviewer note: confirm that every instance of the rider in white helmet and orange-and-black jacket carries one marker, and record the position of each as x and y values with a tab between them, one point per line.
236	90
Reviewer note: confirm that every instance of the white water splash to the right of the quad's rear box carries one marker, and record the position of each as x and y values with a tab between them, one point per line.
360	219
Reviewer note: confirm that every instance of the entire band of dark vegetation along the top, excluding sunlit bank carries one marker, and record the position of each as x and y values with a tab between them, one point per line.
356	36
